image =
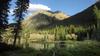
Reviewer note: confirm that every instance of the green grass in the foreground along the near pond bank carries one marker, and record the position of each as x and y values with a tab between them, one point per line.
73	48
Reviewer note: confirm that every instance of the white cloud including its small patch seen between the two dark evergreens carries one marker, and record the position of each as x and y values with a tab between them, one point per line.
33	7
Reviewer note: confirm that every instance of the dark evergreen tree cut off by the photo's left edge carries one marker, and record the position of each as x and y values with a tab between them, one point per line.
4	9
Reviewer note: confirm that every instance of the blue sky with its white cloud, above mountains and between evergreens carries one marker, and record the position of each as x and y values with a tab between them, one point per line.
69	7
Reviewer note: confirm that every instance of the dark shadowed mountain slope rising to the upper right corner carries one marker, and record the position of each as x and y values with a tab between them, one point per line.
83	18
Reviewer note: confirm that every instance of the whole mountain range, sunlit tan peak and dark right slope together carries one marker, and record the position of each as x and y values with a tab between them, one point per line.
46	19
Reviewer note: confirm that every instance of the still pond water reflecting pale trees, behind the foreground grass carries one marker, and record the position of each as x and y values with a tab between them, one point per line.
47	45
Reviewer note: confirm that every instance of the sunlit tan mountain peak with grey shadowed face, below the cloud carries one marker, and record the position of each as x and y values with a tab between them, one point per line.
43	18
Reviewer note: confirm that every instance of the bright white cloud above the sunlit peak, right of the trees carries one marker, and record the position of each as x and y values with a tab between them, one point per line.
34	7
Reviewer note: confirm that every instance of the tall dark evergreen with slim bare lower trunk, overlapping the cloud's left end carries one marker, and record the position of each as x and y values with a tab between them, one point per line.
19	13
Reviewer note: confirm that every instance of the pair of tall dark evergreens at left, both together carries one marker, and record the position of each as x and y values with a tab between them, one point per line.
19	13
